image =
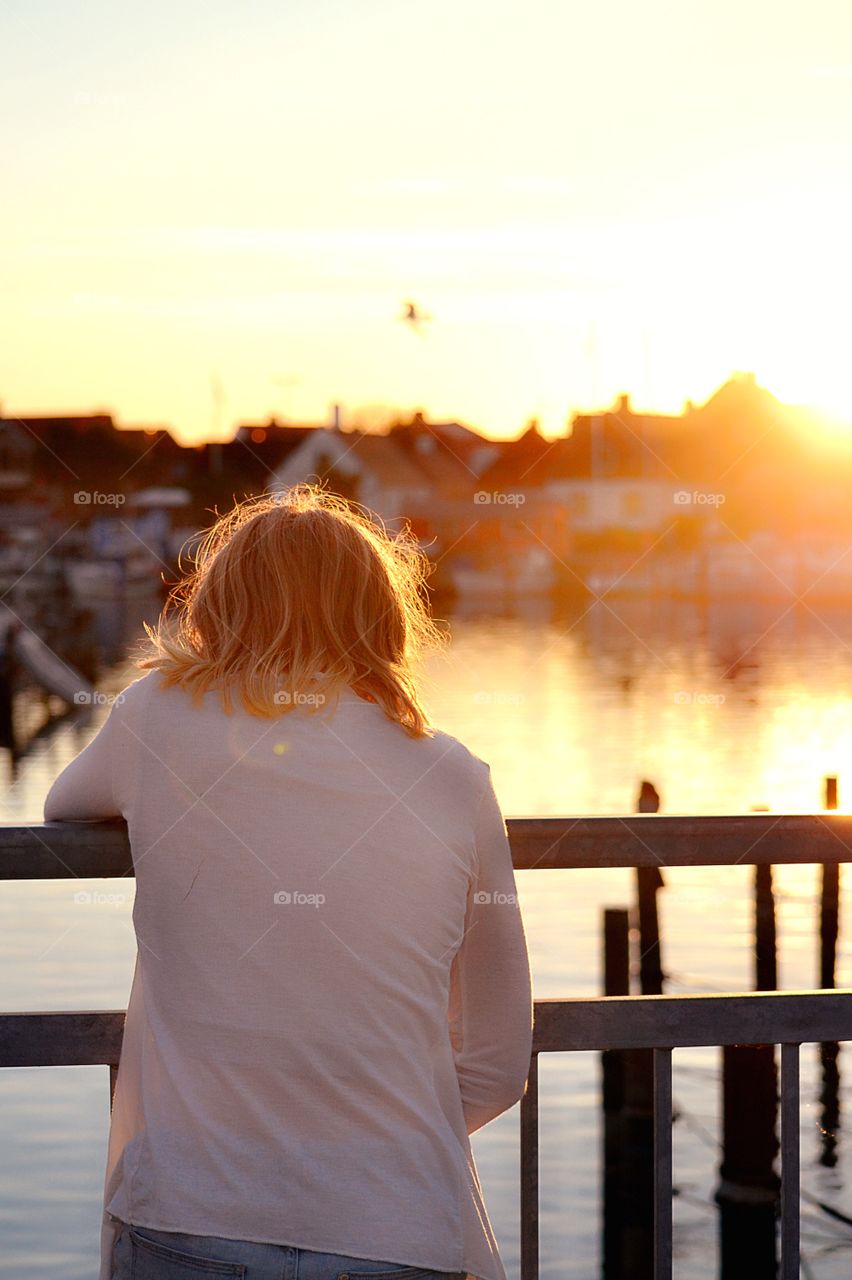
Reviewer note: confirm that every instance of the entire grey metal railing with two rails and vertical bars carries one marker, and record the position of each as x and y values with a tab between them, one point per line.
657	1023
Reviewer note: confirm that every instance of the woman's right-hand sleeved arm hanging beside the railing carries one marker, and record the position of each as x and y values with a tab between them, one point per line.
491	988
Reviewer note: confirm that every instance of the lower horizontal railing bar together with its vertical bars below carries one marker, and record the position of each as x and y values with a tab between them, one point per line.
658	1023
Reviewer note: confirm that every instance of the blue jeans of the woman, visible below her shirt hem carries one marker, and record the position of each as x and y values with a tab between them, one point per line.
143	1254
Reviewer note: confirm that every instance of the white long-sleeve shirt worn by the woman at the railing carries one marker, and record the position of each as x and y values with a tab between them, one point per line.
332	986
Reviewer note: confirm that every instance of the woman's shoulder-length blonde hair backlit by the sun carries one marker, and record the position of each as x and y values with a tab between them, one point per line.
292	600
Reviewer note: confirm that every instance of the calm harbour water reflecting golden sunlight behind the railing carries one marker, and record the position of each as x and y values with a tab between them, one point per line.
723	710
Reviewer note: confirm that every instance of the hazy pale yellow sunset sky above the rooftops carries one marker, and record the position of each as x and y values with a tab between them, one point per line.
213	212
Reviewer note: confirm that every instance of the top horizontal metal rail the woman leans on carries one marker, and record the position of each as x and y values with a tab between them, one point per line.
93	849
